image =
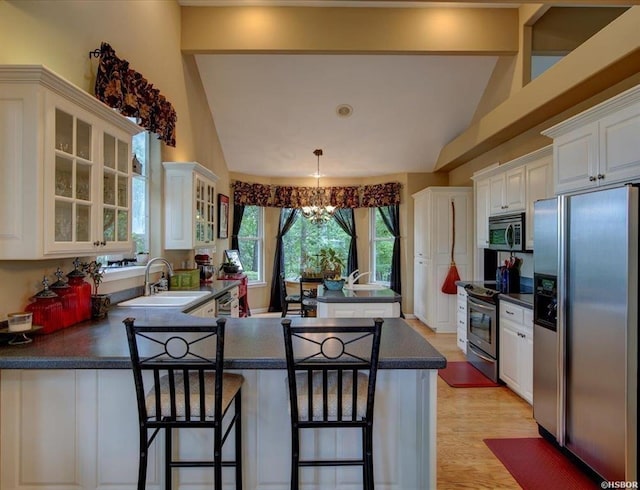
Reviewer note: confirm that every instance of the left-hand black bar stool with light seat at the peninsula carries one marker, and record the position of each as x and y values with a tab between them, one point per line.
185	388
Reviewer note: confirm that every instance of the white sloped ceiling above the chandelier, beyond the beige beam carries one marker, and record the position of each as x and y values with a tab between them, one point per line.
272	110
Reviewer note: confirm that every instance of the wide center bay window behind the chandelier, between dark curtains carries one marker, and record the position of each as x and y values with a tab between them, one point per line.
305	239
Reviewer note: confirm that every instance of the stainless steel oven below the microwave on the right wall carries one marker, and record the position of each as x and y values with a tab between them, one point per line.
482	331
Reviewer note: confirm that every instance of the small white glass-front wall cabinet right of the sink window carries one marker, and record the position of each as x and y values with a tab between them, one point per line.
189	206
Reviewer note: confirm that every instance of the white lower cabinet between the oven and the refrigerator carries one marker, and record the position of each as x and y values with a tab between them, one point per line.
516	348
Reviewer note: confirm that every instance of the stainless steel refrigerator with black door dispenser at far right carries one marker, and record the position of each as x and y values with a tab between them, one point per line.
597	330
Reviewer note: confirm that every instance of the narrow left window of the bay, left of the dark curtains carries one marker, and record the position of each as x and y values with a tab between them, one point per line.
250	241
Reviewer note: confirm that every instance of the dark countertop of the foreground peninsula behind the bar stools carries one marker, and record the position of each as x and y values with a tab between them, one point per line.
250	343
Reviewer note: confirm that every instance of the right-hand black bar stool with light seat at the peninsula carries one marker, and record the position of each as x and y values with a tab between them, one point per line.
331	375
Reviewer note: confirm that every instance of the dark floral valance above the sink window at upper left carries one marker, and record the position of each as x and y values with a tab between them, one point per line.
132	95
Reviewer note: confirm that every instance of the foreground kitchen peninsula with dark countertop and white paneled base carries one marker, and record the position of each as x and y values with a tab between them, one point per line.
69	417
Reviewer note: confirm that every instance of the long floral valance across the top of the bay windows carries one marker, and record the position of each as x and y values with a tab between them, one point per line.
368	196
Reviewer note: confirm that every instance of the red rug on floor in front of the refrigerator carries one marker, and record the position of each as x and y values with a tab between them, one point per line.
537	465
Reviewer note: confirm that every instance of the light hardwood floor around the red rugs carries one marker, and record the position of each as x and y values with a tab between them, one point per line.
466	416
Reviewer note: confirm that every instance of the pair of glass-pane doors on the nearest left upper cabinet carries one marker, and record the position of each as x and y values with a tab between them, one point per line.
92	185
